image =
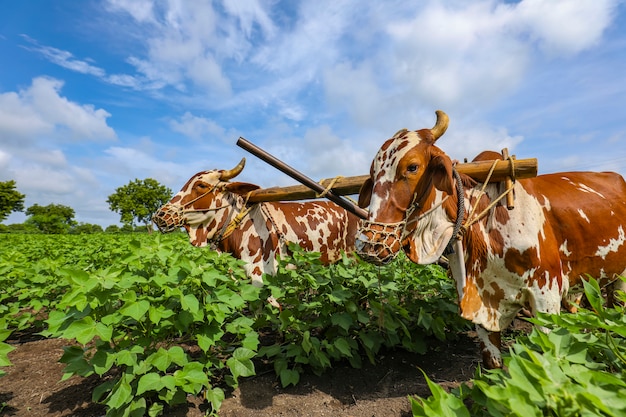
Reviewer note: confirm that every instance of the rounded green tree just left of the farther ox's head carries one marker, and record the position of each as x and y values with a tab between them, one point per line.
138	200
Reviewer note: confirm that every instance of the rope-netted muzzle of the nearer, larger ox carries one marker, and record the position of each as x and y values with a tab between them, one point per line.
379	243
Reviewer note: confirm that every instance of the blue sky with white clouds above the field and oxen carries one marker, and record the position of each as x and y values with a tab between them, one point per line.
94	94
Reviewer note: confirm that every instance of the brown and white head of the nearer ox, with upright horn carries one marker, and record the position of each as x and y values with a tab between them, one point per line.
402	177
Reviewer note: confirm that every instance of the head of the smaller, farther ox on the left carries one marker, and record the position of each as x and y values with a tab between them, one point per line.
204	205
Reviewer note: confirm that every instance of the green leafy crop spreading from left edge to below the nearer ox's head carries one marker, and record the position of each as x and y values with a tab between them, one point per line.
159	320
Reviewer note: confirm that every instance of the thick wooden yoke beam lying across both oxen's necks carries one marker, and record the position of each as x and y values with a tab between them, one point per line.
523	168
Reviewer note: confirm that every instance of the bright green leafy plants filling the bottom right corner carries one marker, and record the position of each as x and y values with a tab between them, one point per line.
577	369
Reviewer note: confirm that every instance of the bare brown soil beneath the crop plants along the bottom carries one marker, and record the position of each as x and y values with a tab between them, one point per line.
33	386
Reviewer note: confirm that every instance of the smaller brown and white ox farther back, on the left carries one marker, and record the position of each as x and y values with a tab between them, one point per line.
214	211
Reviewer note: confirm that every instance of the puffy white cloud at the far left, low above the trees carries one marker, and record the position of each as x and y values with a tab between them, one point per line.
35	125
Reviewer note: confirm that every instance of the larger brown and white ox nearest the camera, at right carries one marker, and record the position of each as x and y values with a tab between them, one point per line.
563	226
